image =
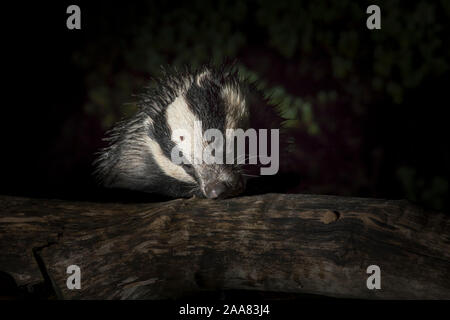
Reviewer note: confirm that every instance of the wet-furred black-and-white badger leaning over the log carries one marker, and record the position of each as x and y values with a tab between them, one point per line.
138	152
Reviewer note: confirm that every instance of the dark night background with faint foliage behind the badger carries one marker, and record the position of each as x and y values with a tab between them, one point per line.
364	110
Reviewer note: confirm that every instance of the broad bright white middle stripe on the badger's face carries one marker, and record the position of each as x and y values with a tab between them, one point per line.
180	117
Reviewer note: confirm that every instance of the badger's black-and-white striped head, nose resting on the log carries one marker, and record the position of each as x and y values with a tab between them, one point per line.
208	100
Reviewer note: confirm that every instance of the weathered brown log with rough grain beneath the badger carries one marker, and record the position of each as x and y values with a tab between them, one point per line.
274	242
